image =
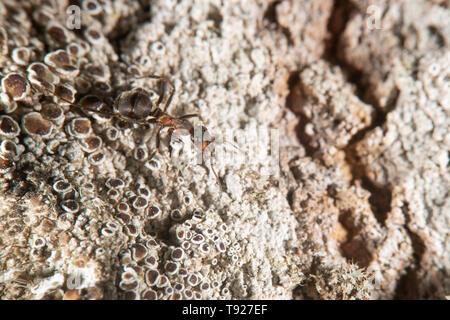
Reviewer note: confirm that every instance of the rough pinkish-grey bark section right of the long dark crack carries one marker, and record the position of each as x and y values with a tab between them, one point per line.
407	155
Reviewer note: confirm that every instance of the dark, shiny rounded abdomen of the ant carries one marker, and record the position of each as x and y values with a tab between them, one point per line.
136	104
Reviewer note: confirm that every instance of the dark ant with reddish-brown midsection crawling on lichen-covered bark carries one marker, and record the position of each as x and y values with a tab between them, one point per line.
137	107
